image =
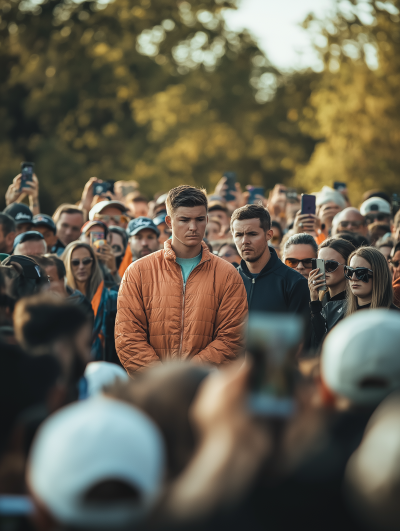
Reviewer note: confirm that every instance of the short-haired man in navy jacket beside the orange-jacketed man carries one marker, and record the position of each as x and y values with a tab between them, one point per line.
271	285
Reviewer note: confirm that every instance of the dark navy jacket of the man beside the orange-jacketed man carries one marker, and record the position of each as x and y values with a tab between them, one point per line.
278	288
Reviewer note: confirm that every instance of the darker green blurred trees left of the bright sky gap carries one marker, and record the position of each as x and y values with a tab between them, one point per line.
159	91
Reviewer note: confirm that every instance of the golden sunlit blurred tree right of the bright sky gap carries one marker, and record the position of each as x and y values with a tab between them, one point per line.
354	108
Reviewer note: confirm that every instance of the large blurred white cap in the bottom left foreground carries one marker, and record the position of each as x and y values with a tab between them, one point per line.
90	442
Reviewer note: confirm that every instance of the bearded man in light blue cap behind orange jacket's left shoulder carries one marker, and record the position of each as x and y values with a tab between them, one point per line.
143	237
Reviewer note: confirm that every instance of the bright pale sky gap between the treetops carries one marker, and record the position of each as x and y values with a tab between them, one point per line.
276	25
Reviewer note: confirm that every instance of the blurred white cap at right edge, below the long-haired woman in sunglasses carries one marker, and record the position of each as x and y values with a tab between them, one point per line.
360	356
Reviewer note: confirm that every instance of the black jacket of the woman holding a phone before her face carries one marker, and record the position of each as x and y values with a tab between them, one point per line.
324	316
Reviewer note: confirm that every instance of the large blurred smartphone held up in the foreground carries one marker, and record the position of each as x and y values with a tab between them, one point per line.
272	342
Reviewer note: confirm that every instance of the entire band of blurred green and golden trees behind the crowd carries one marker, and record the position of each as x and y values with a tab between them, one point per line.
161	92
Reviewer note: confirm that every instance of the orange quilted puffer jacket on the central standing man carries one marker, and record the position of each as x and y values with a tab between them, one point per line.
159	319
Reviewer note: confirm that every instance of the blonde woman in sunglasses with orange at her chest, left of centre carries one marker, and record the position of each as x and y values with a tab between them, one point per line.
83	273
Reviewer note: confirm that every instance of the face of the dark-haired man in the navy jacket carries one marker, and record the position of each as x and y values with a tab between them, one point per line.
250	238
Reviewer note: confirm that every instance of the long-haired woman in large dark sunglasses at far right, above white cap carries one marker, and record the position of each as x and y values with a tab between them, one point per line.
370	281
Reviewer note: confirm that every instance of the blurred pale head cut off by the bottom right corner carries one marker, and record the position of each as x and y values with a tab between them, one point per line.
373	472
